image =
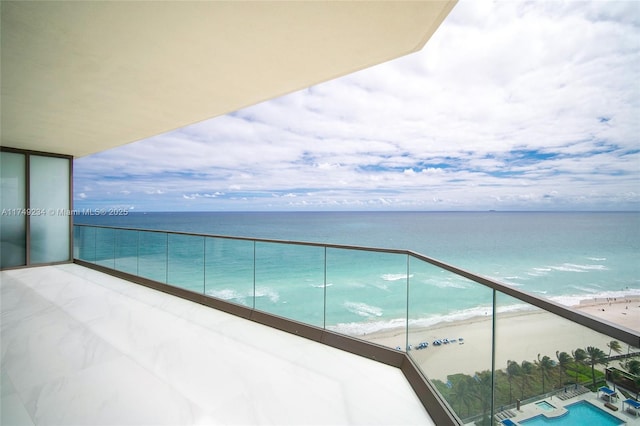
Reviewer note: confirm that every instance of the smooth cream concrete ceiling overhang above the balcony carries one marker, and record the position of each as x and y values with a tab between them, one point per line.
80	77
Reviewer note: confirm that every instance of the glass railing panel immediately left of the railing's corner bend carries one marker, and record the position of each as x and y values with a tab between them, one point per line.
367	295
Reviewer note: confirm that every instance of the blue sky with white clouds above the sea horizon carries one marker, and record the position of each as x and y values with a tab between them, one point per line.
509	106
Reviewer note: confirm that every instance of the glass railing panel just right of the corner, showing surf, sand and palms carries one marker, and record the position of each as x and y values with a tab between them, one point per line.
450	337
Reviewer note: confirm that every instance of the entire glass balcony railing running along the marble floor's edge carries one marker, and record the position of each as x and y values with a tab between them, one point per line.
491	352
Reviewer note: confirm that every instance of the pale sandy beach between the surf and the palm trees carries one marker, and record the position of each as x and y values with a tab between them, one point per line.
520	336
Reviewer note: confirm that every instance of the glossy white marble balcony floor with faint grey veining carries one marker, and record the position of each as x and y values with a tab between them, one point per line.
82	347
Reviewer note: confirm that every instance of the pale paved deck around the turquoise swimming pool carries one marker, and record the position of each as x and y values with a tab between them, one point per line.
531	410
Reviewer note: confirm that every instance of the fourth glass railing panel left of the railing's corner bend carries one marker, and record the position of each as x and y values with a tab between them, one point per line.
185	267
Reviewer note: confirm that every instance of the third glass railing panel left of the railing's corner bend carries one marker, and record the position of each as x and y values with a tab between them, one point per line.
229	270
